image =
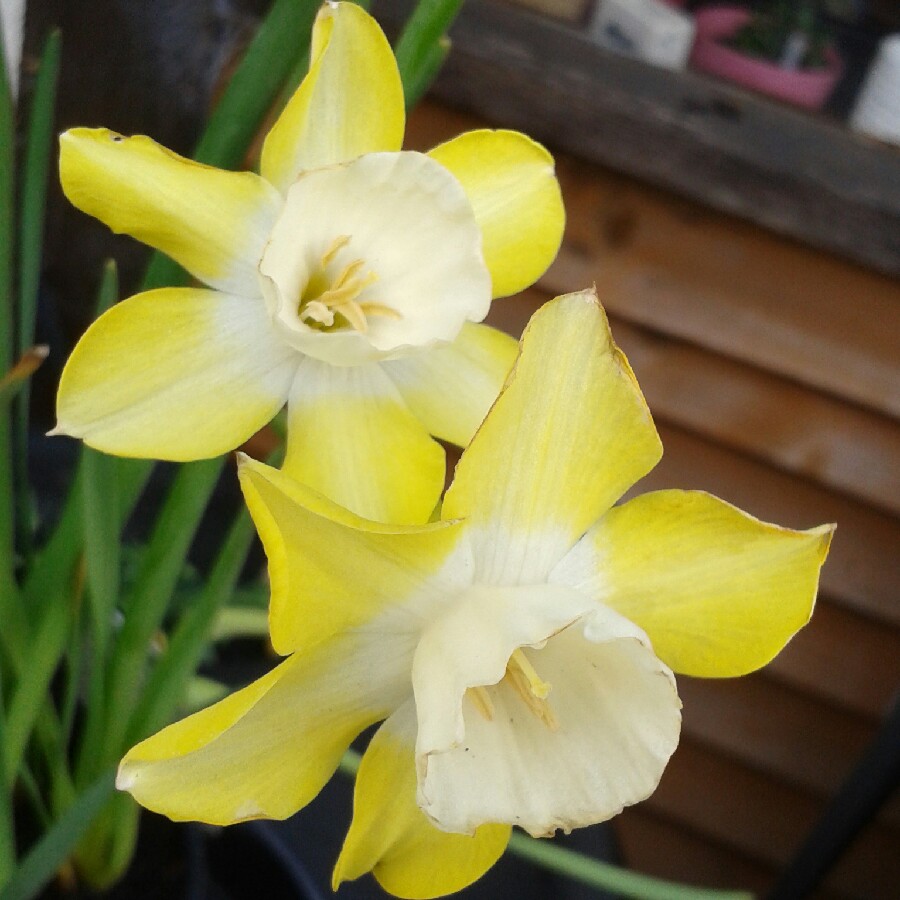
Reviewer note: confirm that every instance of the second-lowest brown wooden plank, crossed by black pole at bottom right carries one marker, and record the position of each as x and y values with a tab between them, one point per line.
717	797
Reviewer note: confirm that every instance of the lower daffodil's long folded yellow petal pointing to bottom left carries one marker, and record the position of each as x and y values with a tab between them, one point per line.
268	749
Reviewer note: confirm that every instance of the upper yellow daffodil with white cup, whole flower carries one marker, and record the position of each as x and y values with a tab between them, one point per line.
344	280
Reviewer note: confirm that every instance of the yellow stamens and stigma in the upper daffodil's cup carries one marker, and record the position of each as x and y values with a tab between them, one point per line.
328	303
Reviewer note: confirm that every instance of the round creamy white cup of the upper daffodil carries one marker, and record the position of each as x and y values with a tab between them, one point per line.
403	224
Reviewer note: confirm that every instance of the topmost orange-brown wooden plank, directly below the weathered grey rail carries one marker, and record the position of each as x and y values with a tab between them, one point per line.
682	270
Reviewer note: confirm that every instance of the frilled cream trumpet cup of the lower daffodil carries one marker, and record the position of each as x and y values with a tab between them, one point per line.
612	721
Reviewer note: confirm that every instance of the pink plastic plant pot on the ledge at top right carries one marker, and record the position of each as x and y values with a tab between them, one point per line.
809	88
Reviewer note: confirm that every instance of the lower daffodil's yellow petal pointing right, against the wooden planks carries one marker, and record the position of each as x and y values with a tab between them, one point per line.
718	592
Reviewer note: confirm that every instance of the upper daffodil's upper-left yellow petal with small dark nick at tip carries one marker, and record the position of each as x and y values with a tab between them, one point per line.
214	223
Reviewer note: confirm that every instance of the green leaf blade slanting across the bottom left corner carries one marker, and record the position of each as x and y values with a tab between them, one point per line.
42	863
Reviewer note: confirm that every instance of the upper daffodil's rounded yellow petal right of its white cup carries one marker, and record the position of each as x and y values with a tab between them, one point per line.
510	182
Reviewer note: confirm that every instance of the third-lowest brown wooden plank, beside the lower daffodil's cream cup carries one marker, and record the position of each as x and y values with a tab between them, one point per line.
772	728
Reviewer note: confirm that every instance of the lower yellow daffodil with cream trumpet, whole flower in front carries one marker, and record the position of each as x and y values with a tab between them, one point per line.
520	651
